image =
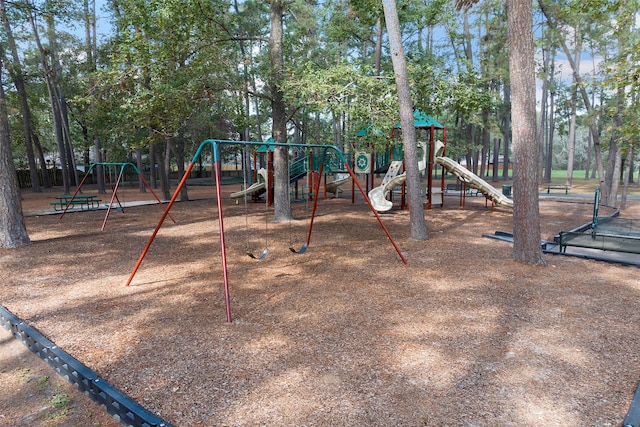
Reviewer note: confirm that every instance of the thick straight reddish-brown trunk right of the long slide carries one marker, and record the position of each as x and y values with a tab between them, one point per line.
526	214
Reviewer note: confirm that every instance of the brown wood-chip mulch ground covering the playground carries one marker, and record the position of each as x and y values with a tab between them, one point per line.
342	335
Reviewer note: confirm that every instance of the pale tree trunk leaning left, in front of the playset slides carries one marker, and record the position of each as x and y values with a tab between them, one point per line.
416	210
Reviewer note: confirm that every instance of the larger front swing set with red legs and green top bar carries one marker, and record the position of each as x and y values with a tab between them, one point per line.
215	144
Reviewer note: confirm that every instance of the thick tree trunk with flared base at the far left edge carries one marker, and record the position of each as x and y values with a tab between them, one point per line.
13	233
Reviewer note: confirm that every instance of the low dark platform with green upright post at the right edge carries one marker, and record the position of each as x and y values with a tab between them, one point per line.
610	233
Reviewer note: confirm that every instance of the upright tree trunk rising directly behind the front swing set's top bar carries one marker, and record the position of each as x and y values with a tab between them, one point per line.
281	202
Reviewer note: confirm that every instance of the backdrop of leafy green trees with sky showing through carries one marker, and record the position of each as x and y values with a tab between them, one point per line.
159	77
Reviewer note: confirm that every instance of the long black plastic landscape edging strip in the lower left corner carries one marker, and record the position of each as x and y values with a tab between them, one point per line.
116	403
